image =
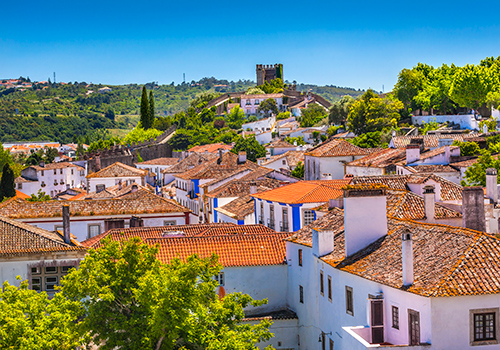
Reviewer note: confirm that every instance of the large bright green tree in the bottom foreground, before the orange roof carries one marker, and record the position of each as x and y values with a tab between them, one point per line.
133	301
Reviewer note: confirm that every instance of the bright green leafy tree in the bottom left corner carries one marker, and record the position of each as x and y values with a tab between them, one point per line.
30	320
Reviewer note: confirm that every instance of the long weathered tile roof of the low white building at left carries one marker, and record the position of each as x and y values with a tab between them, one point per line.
140	202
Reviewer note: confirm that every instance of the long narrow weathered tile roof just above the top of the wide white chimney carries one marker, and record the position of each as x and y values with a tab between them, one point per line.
449	191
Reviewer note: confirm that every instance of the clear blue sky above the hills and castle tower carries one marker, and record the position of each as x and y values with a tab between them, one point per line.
358	44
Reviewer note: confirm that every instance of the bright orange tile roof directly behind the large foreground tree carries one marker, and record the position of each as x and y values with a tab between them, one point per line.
232	250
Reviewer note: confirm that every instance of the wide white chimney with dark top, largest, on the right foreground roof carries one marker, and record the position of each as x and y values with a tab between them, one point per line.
361	203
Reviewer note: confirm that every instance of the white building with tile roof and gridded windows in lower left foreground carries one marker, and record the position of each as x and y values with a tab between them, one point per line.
42	257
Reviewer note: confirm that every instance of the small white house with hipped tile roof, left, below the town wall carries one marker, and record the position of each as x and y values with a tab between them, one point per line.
114	174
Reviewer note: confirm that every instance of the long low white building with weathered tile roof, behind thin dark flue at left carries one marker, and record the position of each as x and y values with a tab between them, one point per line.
91	217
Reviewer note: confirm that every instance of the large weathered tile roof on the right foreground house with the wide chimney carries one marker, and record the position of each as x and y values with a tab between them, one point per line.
448	261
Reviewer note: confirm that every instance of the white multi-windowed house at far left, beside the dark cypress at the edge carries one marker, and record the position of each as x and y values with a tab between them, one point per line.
51	178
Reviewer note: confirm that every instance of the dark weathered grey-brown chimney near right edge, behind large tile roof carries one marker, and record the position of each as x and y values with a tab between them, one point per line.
473	208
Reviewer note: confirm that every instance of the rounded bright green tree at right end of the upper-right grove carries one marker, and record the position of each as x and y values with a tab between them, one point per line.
471	85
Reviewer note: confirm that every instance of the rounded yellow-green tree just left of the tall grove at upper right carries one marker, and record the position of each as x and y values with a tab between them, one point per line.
372	113
